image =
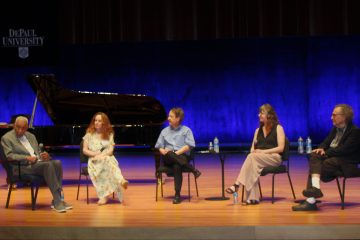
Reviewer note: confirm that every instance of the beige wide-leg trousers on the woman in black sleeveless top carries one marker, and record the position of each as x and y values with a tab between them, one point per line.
251	170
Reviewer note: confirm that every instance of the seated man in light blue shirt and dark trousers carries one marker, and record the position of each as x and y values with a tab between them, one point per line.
174	144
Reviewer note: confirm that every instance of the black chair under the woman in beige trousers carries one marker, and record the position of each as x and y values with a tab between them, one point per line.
283	168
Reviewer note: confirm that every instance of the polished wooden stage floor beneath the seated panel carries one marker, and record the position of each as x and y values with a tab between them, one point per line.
141	217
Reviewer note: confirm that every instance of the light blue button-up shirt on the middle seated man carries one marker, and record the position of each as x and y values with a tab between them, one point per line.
174	139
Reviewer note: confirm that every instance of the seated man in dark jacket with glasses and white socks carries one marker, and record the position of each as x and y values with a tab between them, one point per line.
338	152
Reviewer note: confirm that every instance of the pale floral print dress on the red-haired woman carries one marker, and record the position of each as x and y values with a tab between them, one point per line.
105	174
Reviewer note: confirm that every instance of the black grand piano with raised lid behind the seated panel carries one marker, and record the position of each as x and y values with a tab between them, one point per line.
137	119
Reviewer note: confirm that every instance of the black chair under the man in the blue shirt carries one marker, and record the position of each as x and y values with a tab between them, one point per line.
163	169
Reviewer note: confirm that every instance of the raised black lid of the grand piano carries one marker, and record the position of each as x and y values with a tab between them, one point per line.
69	107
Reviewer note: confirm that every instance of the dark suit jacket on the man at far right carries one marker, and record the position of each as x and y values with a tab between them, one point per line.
349	145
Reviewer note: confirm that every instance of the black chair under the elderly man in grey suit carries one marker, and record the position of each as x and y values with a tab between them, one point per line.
14	176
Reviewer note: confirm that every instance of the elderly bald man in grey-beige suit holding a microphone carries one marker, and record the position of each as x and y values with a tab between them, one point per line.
21	145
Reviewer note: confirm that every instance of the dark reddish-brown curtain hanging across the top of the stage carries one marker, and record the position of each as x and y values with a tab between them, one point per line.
109	21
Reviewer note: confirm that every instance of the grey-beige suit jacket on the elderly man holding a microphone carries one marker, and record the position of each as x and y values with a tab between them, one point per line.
13	148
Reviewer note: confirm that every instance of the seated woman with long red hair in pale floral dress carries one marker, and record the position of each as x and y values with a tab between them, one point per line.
103	167
